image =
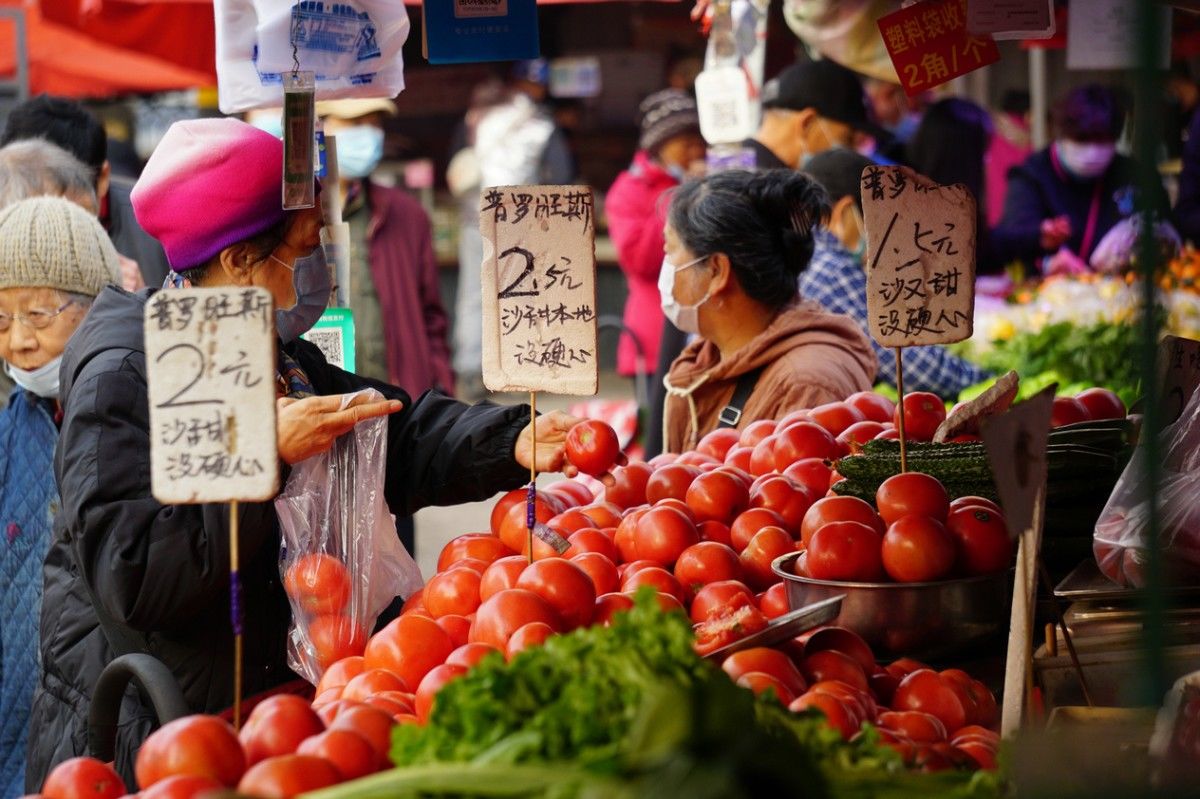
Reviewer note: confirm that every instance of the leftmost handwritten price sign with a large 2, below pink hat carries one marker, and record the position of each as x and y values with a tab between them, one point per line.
211	357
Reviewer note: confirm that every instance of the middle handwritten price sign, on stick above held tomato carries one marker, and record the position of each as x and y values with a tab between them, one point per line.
539	290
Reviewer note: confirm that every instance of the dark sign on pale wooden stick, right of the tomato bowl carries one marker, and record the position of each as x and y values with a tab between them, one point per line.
1017	450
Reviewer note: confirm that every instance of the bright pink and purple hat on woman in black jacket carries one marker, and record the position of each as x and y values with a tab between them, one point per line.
209	184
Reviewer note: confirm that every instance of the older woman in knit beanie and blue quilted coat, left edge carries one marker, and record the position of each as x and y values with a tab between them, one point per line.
55	259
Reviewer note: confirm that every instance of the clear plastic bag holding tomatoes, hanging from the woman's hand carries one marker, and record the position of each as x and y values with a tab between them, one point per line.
340	557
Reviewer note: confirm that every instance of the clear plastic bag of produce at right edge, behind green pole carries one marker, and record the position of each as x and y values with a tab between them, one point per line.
1121	533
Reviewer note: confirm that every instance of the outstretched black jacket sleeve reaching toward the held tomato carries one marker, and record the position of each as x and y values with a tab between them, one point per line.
441	452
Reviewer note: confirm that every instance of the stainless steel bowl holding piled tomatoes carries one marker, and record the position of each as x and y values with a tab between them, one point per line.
922	621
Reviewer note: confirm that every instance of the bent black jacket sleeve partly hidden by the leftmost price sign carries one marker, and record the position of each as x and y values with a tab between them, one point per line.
153	567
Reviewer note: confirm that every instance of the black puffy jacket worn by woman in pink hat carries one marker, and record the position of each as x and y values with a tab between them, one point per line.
163	573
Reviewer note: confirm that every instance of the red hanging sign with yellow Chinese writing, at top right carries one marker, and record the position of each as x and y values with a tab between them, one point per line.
929	45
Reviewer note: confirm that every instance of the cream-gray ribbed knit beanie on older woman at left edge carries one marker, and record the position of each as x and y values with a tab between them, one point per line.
52	243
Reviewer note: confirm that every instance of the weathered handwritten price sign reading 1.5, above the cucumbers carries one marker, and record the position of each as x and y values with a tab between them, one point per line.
921	259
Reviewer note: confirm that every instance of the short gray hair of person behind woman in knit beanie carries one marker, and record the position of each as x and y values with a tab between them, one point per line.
38	169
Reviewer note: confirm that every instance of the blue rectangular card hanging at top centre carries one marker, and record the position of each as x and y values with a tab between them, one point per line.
461	32
